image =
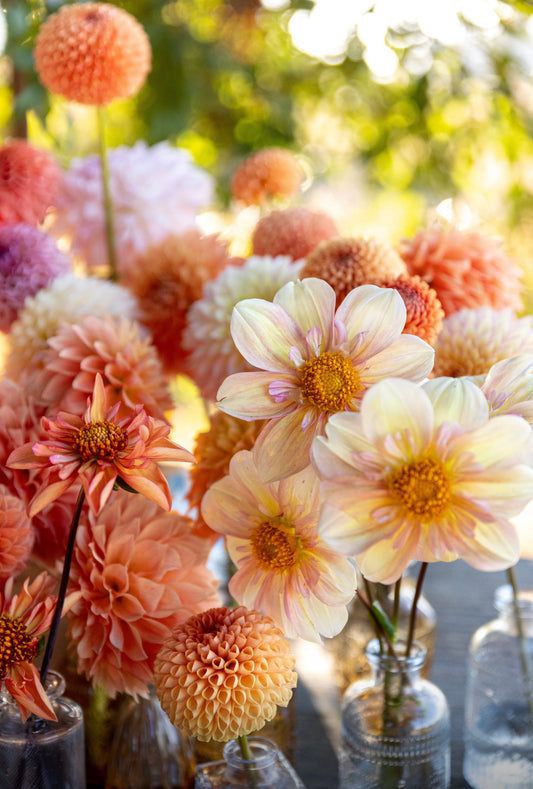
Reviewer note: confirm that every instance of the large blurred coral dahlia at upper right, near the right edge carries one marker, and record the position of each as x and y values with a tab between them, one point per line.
467	269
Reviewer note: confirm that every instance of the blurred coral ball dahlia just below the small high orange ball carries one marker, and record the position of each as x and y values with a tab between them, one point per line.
294	232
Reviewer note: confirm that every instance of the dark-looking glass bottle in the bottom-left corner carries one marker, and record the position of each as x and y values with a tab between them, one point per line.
42	754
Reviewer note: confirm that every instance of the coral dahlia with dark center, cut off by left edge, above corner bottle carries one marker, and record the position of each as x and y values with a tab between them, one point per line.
24	617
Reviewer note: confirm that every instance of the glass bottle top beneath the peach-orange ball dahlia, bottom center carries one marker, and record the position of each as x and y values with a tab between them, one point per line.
267	769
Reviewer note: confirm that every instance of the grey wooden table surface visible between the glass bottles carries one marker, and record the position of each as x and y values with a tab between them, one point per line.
463	600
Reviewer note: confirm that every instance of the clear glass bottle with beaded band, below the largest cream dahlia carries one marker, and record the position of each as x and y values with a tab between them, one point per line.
395	726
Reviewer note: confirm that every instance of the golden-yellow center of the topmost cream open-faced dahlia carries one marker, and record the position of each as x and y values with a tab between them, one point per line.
329	381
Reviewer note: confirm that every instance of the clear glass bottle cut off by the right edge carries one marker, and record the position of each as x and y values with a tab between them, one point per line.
499	698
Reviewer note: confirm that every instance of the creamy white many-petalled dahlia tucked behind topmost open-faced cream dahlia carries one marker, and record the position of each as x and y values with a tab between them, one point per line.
207	336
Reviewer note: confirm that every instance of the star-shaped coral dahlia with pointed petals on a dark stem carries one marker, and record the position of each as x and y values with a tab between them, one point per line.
100	451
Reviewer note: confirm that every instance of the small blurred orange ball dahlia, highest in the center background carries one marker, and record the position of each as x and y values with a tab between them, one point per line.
270	172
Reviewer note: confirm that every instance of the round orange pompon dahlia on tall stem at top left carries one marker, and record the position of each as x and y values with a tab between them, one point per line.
92	53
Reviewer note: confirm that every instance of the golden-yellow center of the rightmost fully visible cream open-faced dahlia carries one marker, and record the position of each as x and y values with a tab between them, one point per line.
423	487
